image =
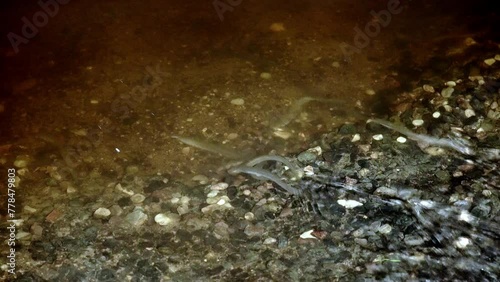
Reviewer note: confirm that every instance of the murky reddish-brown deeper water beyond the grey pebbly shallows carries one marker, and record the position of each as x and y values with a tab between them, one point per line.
108	84
